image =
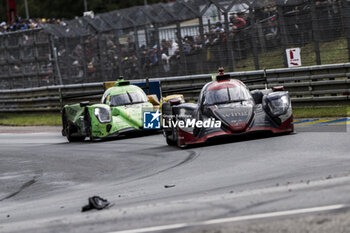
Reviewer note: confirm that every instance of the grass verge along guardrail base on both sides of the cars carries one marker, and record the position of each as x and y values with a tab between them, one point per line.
54	119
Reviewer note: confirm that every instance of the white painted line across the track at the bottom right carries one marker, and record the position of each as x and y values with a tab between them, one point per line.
234	219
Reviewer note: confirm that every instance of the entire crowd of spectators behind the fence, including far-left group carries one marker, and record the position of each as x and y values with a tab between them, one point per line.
85	57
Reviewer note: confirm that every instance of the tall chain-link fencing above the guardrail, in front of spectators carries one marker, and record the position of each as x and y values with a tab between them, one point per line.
177	38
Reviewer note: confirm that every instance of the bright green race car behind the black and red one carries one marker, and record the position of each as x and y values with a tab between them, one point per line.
121	111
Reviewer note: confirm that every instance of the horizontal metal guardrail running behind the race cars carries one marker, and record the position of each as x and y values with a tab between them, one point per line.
325	85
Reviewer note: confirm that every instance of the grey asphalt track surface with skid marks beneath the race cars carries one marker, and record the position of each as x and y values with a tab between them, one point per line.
291	183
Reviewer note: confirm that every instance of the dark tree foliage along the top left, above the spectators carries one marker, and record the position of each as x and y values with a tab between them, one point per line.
68	9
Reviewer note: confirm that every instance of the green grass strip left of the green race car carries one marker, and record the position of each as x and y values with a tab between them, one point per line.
30	119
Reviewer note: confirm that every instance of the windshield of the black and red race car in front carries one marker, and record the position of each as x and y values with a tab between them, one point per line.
227	95
